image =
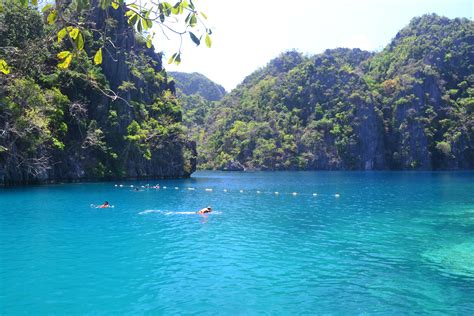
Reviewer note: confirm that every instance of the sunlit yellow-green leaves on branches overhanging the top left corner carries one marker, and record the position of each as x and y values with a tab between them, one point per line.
62	18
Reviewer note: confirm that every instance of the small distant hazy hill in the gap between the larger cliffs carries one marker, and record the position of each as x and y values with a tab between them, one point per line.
198	84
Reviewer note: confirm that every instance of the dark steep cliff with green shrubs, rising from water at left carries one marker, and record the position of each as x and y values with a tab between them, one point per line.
60	125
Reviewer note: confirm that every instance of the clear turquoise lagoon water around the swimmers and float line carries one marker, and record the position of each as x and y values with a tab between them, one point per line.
392	243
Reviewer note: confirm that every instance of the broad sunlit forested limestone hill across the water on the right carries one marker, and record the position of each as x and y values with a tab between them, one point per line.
409	106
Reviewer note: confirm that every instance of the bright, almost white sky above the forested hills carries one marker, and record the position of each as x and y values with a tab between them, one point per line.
248	33
